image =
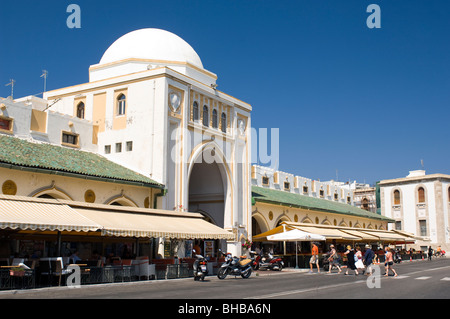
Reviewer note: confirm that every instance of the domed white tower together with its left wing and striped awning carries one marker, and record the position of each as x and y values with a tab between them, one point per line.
149	134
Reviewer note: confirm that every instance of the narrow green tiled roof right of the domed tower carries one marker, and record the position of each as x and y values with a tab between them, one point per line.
272	196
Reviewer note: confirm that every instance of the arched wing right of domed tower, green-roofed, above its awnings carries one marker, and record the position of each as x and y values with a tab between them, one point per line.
281	197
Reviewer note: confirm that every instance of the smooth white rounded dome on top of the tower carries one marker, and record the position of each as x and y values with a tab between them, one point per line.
153	44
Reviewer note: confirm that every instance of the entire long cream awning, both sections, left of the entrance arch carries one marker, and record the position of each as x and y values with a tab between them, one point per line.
38	214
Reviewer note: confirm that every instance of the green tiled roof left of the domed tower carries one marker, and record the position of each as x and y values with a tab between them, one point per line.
66	161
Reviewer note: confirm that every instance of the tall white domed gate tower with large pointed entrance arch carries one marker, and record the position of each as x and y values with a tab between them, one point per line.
157	111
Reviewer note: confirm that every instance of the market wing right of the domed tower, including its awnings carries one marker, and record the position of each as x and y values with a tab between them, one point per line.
283	202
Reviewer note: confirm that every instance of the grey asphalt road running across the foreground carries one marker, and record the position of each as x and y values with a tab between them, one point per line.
417	280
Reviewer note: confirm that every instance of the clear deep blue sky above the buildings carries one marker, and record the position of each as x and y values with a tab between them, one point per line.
370	103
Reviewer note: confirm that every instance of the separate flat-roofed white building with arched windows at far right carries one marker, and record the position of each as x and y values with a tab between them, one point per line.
419	204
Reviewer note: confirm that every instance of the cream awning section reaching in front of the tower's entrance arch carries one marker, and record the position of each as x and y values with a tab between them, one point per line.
154	224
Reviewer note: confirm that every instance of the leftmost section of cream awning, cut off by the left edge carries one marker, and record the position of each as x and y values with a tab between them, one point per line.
25	213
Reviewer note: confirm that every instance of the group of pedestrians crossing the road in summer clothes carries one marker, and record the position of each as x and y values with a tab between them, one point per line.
356	260
